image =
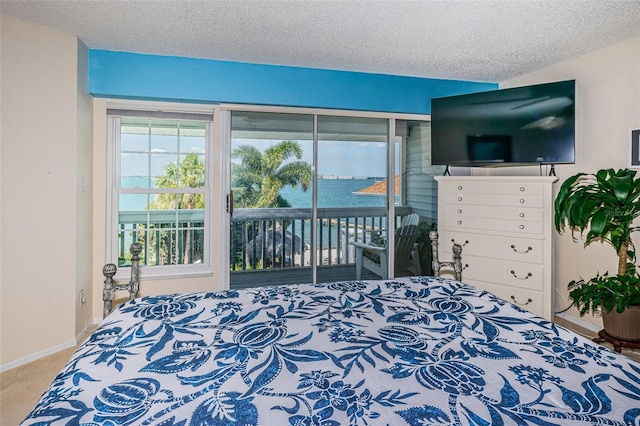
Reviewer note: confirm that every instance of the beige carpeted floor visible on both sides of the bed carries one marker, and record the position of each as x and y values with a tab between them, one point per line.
21	387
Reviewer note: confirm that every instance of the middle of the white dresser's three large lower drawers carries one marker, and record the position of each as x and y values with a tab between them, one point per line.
514	274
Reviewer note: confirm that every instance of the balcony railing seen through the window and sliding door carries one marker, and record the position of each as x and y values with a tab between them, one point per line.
261	239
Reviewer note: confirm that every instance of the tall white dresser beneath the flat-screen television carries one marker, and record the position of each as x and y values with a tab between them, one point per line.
504	225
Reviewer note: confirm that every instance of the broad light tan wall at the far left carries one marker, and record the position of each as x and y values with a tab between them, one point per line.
40	224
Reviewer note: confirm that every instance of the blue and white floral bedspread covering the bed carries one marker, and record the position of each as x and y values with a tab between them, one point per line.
416	351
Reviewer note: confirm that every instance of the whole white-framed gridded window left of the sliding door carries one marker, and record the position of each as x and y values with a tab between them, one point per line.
160	196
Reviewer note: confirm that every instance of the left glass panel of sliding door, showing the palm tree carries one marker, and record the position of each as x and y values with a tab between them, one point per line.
272	191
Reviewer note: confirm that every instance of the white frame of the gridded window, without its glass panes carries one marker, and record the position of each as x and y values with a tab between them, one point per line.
114	190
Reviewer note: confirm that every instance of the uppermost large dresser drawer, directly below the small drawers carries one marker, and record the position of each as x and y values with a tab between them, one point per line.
530	250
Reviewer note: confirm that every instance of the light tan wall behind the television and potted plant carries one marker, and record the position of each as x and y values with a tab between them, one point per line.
608	107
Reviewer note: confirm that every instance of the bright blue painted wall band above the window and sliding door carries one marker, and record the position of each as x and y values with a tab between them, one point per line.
126	75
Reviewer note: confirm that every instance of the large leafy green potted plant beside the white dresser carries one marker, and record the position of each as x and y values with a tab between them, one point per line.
605	205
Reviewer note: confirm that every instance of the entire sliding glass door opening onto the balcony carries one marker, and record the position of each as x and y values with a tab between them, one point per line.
306	187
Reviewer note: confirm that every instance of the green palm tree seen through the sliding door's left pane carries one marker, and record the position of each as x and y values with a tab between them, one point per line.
258	179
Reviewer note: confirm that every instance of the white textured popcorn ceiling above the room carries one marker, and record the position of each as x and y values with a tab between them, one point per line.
480	40
